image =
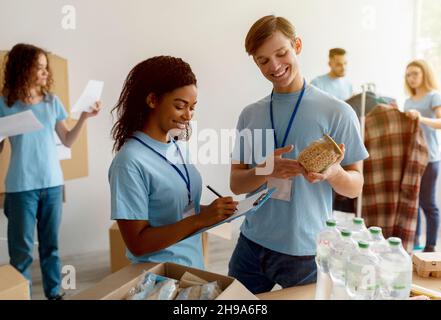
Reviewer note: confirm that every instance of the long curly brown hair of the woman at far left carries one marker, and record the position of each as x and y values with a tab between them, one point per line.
20	68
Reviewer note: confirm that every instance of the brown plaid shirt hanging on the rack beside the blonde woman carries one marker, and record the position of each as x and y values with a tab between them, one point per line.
392	173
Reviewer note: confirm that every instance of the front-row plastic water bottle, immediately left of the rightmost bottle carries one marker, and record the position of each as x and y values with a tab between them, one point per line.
362	276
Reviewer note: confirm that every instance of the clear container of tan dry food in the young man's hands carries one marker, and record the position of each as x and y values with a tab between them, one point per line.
320	154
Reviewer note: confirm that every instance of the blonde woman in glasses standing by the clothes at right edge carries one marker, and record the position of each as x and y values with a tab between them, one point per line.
424	103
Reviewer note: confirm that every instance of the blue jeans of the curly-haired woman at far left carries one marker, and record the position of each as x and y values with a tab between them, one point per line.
25	210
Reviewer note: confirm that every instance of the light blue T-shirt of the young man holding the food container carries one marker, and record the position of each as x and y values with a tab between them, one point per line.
292	227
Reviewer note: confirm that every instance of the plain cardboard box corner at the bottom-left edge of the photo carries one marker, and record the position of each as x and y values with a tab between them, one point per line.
13	286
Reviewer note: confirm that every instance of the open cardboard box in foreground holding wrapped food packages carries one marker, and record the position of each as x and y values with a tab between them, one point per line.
117	285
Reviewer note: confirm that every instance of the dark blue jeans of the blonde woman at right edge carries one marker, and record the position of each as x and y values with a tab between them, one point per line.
427	199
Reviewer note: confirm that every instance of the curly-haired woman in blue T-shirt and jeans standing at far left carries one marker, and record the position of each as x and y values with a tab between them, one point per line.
34	180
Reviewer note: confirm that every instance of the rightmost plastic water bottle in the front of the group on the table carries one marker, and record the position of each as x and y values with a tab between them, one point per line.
395	271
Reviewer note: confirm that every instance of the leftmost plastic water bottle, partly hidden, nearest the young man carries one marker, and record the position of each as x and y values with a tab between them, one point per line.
324	240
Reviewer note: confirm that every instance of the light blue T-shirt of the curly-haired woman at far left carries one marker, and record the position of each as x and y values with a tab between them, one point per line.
34	162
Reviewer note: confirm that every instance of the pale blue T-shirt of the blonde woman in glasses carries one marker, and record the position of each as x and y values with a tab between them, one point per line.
425	107
